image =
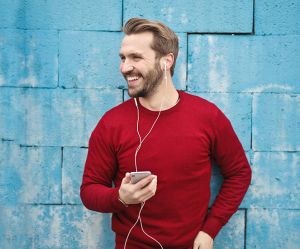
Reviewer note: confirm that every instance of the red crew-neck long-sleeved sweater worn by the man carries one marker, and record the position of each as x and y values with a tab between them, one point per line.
179	151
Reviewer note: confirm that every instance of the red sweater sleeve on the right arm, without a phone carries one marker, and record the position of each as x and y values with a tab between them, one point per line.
229	155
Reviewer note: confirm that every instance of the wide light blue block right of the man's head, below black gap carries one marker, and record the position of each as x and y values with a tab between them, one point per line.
226	63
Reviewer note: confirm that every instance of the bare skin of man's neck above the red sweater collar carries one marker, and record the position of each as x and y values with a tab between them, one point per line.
165	96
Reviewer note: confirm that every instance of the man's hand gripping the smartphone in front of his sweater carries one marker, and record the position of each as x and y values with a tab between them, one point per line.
138	192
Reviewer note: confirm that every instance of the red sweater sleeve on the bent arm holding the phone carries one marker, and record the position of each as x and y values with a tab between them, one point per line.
96	190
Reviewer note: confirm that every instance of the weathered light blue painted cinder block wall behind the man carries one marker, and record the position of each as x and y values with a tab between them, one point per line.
59	74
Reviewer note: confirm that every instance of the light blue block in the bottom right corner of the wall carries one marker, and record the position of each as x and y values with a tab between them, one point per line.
273	228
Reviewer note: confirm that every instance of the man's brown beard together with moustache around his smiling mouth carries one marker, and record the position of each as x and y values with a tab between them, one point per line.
151	81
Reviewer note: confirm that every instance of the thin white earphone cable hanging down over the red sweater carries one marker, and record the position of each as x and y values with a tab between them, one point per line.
135	162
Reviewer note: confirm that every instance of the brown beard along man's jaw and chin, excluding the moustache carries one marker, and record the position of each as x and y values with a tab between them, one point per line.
151	82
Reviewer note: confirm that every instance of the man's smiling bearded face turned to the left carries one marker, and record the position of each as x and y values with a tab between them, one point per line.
139	66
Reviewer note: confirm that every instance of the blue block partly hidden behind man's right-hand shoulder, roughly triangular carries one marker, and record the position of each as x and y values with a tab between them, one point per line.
237	107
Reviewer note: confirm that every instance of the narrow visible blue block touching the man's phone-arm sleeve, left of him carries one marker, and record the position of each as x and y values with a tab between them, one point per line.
72	170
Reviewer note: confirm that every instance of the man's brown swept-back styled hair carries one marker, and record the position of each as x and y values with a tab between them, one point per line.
165	41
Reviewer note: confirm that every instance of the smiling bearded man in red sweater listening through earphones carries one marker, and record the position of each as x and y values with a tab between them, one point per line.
174	135
